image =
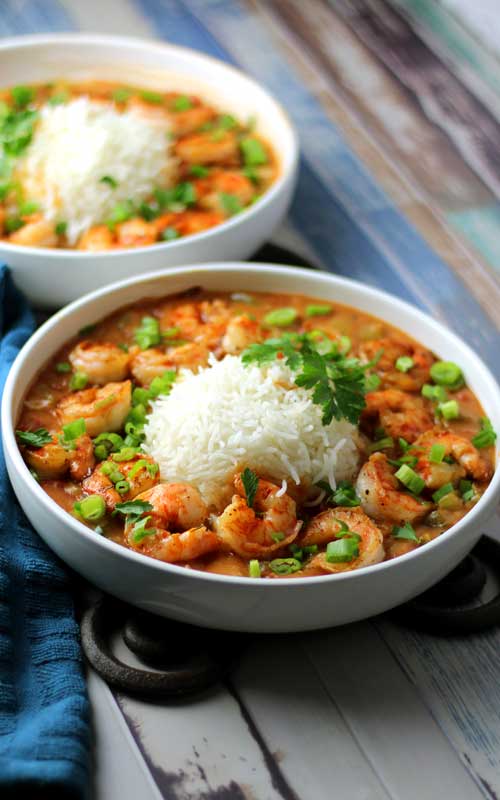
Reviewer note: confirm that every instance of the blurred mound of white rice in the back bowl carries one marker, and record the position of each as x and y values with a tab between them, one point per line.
78	143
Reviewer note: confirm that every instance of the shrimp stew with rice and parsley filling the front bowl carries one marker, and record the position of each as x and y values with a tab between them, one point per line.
418	449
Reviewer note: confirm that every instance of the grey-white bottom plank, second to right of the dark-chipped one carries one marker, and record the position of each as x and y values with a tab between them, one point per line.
413	757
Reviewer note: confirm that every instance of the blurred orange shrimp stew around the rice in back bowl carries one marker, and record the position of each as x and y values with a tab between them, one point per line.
221	166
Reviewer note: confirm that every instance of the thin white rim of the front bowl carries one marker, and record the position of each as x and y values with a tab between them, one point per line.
489	497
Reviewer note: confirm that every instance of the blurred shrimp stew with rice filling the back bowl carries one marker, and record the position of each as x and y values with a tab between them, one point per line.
99	166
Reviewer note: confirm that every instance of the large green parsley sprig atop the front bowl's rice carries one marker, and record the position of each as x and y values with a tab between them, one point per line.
337	381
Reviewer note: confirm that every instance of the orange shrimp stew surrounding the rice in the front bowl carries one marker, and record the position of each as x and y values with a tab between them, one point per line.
418	472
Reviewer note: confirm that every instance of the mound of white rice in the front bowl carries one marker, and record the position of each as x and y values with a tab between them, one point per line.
230	416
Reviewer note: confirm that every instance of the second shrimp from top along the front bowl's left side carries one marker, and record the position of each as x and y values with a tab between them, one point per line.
104	408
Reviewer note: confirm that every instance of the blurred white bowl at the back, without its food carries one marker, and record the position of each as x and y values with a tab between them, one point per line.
50	278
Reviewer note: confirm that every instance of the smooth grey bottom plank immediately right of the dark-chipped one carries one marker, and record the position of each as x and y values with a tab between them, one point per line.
317	752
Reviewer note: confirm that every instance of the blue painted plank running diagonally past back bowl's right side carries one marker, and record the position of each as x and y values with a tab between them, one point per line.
340	240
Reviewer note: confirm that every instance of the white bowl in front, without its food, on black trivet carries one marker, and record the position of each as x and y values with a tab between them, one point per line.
220	601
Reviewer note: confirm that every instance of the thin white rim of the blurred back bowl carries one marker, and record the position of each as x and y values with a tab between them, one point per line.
286	174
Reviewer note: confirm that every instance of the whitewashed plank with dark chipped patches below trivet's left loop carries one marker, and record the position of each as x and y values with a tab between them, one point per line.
200	750
